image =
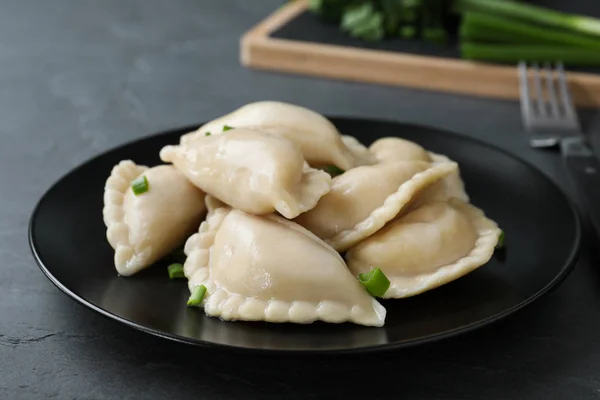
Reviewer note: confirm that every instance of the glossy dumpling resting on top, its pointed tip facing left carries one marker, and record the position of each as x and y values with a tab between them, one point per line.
252	171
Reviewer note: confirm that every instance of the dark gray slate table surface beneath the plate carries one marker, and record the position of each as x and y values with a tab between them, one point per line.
80	77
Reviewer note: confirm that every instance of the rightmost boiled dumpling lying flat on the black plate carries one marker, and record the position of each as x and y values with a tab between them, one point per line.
433	245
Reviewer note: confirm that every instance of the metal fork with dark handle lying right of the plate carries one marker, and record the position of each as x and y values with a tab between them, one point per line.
551	119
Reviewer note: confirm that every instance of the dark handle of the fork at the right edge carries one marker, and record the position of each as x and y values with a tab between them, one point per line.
584	169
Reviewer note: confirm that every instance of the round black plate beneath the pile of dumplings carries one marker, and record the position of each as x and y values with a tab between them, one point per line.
67	237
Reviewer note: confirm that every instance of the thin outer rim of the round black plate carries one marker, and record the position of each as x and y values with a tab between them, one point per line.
558	279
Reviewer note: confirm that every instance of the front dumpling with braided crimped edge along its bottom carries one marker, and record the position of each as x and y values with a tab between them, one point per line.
266	268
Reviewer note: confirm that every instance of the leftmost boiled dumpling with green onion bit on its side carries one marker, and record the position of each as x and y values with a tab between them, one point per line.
143	229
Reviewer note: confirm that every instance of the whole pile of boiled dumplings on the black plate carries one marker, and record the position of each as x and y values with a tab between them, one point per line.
270	235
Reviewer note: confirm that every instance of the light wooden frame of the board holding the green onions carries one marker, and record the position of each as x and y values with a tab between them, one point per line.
261	48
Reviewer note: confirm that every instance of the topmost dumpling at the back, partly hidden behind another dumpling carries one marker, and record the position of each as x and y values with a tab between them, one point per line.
316	136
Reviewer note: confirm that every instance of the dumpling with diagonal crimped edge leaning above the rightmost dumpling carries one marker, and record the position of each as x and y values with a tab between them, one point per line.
363	199
